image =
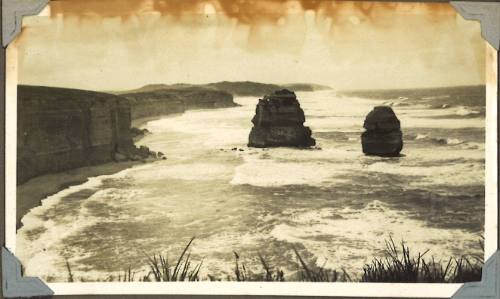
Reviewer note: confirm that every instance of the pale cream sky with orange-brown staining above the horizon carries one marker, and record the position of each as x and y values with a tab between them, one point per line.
125	44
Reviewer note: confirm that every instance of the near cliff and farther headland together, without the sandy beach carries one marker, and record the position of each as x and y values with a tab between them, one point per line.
61	129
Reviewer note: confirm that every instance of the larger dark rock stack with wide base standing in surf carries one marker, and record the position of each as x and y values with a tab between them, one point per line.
279	121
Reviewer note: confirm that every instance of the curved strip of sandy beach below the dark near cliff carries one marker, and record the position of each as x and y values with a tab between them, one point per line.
31	193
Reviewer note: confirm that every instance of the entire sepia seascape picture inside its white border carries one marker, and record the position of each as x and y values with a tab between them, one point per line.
272	140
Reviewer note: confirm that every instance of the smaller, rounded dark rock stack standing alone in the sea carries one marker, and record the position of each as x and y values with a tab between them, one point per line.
383	135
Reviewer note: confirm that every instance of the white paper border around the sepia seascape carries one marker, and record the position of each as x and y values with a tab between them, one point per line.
383	290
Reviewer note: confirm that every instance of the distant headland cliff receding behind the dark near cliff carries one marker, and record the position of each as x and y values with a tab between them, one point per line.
168	101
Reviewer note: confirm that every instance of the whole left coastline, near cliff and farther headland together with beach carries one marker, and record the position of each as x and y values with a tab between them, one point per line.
66	136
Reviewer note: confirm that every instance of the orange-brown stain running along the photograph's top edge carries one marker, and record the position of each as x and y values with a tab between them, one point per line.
247	11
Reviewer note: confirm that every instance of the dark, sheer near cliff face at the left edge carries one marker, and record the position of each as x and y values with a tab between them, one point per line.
61	129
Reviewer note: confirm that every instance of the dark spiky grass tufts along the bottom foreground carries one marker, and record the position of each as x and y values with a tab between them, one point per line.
397	264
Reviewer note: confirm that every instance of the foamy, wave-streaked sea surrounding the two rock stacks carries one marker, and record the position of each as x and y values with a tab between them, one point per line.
332	203
